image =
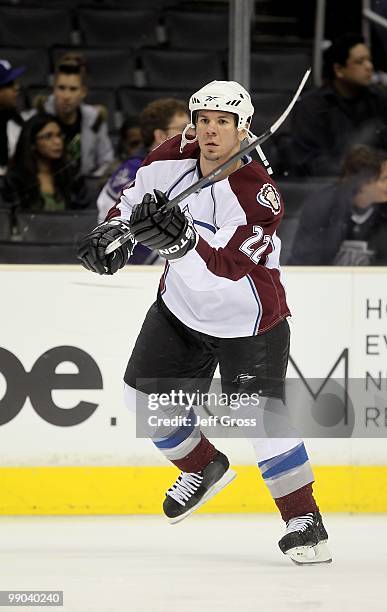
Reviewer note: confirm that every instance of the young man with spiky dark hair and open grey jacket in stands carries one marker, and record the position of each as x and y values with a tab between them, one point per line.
84	126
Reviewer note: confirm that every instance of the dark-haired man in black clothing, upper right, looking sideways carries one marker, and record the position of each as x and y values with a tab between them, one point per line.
346	111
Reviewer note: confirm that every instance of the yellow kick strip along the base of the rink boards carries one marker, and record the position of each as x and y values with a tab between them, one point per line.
141	490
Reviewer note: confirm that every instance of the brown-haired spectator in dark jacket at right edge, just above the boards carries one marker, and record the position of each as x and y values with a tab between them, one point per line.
346	223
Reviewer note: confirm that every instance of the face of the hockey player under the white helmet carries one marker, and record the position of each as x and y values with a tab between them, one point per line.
217	135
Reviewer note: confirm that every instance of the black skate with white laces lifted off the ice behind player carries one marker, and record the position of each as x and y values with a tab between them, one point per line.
192	490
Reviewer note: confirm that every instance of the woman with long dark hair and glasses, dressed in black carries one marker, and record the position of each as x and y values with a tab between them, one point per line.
39	177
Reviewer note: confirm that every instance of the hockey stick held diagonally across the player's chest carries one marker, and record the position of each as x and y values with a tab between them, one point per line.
207	180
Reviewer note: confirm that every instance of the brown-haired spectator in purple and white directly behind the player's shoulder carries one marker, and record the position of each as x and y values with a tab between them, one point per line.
160	120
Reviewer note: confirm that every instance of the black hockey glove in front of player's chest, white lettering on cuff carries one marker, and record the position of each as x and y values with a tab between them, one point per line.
167	232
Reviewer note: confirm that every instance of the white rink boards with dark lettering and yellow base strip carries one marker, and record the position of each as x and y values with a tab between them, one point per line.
67	442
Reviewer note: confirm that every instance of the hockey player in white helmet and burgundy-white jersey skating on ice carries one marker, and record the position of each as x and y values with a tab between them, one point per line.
220	301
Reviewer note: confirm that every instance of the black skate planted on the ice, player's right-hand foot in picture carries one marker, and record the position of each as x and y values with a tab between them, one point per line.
305	540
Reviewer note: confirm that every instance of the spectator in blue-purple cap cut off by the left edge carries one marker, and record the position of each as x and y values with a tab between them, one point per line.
10	119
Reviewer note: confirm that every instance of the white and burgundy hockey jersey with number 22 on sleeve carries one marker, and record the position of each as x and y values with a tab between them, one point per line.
229	285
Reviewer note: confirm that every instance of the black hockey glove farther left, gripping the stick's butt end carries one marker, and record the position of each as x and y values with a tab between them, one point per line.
91	248
